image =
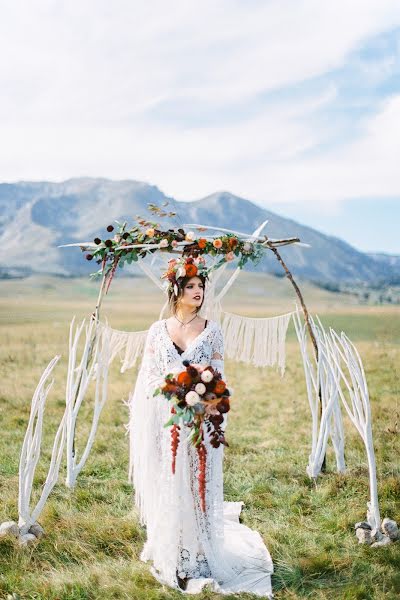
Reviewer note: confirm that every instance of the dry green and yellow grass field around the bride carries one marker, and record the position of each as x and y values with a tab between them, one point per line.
93	537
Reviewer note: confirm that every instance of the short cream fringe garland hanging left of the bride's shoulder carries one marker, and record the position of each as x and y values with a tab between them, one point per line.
129	345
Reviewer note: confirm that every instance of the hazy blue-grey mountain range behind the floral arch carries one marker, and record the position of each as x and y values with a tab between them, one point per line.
36	217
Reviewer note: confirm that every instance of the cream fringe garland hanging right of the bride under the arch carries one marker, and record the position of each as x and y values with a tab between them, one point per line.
260	342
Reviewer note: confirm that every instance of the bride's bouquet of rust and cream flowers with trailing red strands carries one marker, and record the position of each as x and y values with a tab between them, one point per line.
197	398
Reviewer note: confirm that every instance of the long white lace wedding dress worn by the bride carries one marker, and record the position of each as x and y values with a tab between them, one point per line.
209	548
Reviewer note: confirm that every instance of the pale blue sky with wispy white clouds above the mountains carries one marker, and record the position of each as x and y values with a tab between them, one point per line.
293	104
